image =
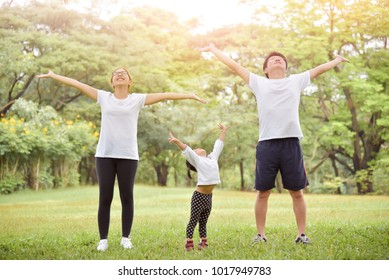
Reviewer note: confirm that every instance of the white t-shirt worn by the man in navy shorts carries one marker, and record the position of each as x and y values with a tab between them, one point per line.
278	103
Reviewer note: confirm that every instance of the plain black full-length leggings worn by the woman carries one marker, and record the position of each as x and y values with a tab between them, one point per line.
107	170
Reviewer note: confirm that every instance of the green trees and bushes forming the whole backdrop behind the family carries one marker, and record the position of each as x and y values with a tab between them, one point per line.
48	132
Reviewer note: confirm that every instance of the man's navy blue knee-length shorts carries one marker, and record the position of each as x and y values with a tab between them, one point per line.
284	155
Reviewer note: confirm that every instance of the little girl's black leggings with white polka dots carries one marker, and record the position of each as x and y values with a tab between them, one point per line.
201	206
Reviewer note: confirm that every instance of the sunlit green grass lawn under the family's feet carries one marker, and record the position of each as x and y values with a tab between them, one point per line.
62	224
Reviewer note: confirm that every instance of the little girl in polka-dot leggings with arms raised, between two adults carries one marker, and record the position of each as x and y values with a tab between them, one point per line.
208	176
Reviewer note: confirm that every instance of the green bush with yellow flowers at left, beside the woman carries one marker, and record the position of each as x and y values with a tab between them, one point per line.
37	147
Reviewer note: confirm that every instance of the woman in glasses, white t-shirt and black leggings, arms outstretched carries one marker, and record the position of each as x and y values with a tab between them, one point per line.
117	148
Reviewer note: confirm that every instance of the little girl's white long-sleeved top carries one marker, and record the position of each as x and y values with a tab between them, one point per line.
206	166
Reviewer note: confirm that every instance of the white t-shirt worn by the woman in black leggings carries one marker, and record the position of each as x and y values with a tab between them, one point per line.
119	125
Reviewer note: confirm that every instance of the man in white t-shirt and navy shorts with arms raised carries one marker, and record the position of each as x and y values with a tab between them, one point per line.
278	149
